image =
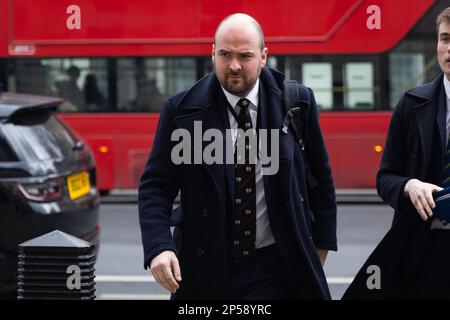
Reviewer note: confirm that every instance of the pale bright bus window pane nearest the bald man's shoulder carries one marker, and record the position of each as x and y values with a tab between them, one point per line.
319	77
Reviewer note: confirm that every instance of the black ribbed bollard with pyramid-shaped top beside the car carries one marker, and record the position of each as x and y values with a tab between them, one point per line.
56	266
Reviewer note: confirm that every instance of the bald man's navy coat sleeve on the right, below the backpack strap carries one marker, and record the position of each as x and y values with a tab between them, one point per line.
322	198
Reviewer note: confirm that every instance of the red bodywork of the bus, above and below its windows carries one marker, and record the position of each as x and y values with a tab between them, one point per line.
121	141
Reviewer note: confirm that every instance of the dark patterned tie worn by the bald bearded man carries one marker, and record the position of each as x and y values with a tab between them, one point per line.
244	217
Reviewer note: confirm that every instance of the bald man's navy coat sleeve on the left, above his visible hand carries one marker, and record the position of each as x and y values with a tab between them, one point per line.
158	188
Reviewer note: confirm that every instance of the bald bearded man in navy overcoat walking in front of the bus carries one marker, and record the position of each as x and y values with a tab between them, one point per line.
295	227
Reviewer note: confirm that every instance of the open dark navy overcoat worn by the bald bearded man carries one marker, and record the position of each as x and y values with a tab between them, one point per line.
207	192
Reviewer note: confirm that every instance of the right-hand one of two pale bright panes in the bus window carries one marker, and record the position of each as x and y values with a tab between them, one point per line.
358	85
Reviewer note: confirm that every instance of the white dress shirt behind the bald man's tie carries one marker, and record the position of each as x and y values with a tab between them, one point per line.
264	236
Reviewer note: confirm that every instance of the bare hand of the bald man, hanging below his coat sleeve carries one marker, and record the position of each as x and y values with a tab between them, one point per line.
166	270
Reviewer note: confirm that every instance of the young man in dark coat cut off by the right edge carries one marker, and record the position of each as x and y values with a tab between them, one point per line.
413	259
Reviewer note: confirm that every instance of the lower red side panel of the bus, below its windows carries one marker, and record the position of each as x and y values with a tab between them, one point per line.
121	144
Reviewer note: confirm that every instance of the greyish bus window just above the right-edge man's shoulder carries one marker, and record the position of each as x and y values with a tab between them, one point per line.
407	70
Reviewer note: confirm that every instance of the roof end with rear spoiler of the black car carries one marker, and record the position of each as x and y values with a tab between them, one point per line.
12	103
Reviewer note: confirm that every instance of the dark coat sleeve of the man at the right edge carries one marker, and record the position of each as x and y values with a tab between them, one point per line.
391	178
